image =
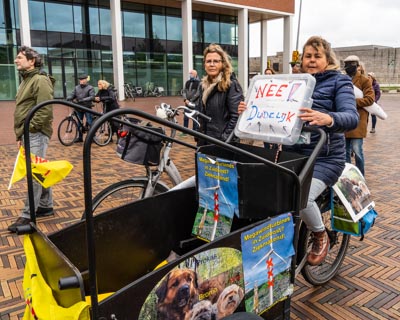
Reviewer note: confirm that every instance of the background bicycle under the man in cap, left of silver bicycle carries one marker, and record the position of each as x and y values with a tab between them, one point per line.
68	130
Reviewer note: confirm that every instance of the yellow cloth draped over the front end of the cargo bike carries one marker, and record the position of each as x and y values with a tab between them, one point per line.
38	295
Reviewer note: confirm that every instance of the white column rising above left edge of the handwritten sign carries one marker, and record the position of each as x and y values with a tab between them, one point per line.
243	53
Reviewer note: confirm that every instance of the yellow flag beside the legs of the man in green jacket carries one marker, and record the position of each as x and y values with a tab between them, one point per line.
47	173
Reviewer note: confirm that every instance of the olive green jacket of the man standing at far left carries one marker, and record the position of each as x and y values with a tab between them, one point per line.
34	89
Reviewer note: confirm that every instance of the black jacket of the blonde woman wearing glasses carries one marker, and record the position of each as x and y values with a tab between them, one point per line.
222	107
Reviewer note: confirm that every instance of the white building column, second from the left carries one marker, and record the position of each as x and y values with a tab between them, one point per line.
118	60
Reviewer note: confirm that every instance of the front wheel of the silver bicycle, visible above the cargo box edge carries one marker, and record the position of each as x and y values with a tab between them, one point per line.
121	193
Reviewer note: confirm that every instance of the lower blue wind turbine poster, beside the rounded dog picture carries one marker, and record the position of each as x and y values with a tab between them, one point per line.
267	251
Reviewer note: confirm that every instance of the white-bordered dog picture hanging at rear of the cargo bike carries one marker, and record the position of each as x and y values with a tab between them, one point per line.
353	192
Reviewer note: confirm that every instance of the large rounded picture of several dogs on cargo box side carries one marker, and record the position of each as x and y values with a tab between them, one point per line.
207	286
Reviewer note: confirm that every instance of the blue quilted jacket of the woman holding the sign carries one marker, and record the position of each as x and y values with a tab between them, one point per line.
333	94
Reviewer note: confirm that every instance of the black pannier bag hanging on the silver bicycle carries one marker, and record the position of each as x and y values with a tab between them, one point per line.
138	146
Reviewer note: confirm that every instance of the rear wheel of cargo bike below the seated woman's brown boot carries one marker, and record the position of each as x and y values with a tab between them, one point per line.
339	242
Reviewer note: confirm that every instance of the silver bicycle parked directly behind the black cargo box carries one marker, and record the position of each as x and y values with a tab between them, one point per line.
136	188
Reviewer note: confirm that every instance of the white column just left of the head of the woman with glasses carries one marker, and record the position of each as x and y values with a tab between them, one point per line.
187	38
